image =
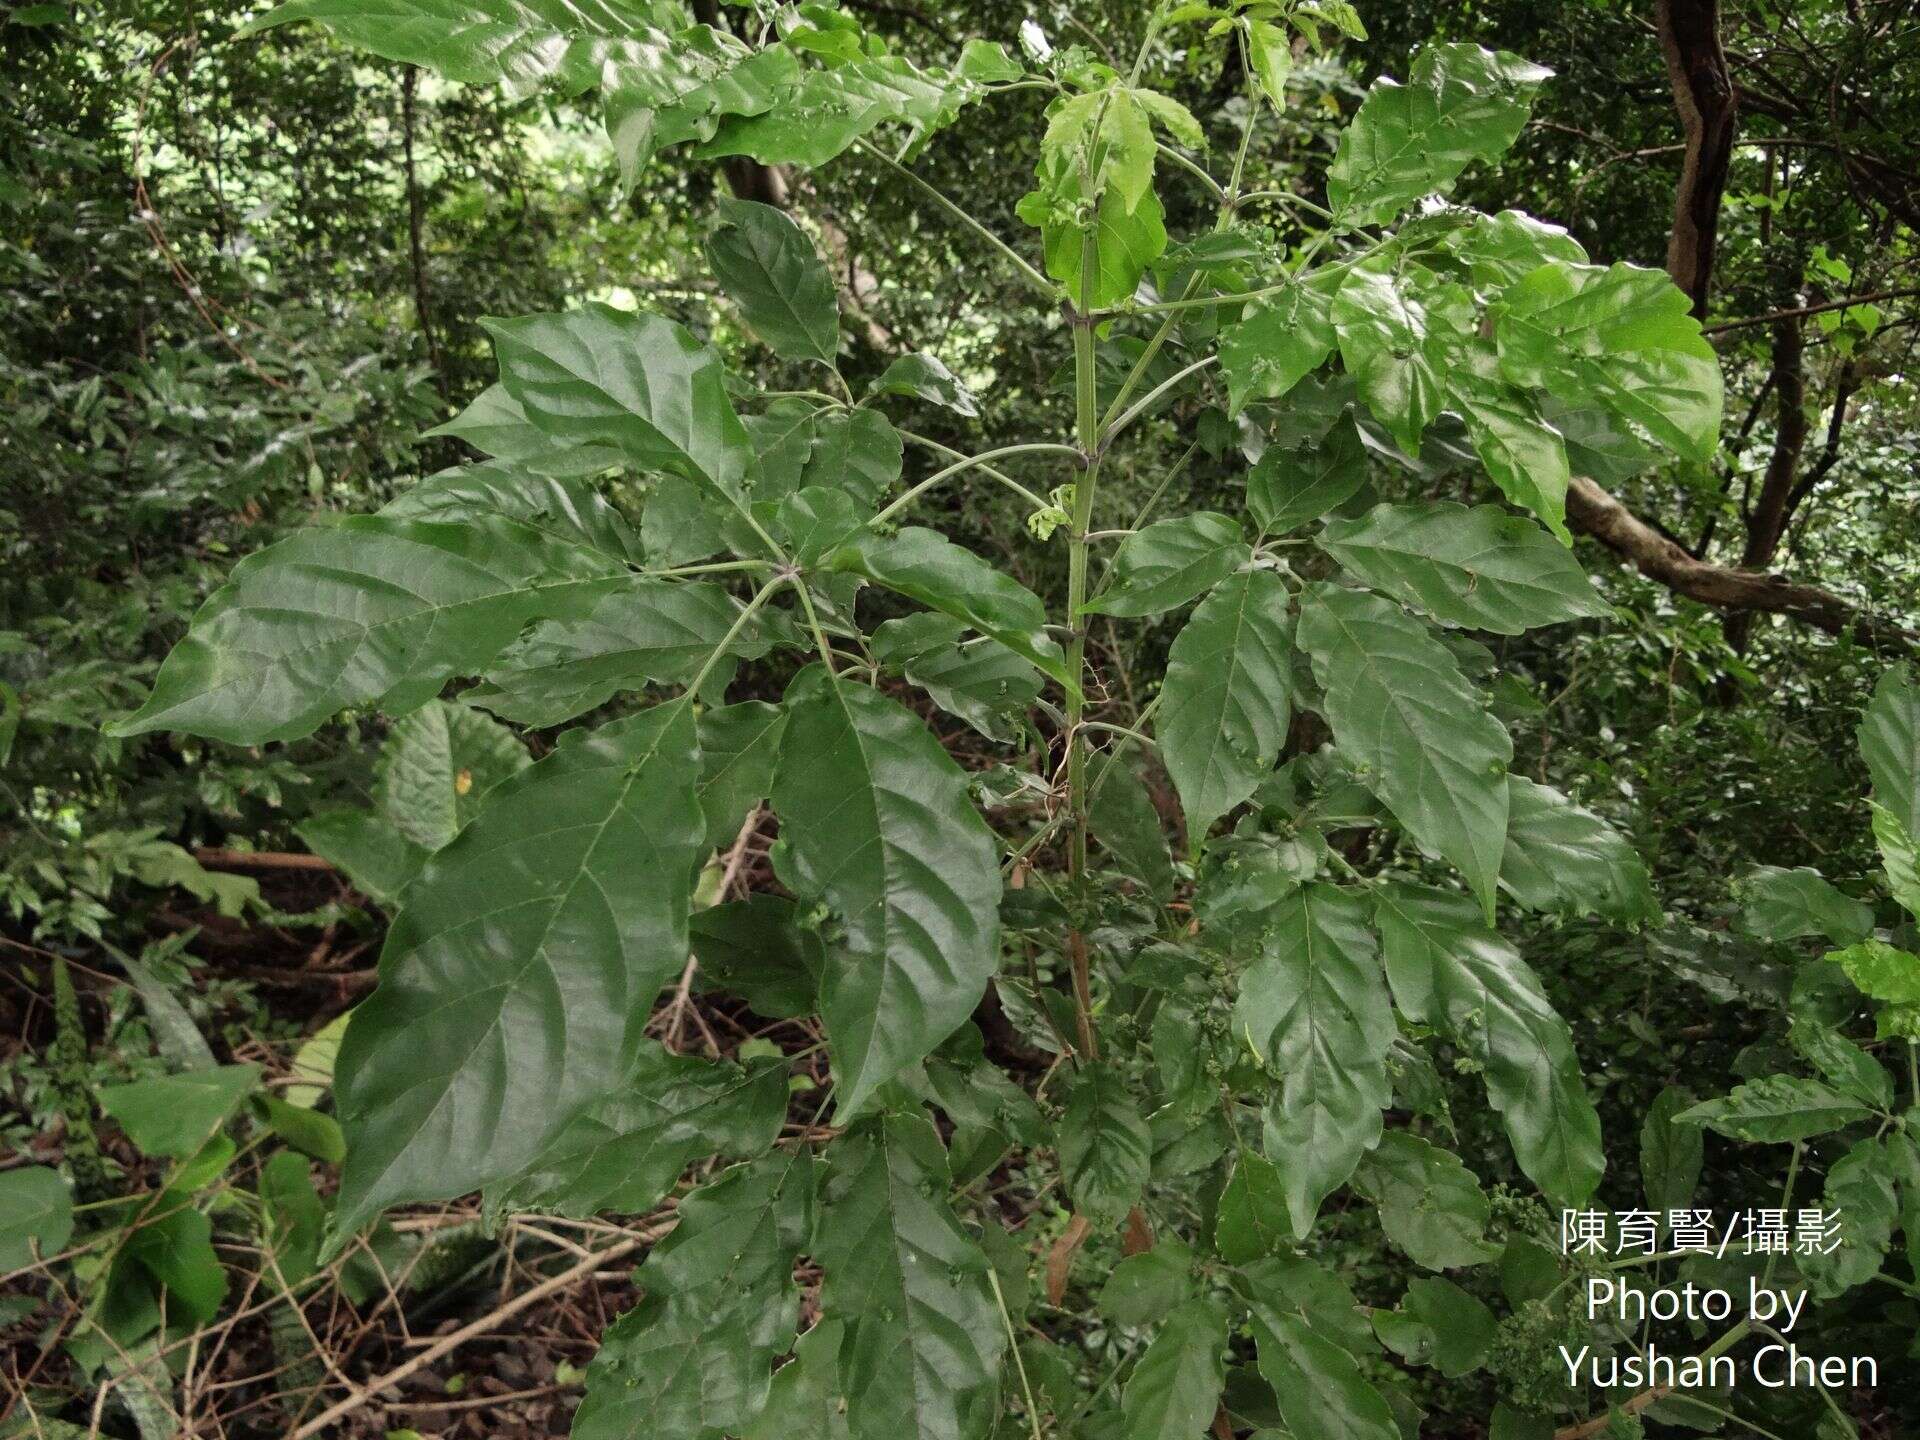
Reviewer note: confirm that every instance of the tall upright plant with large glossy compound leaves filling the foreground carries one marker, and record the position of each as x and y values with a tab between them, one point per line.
1222	1019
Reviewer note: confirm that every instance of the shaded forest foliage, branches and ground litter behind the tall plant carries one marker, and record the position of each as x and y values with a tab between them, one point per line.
245	276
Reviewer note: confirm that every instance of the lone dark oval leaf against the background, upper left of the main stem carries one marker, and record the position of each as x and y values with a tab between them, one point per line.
771	270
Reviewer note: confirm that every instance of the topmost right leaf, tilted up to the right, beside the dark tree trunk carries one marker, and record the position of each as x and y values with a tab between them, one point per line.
1460	105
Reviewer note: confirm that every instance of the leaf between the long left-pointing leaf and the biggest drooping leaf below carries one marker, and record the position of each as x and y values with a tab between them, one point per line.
644	631
